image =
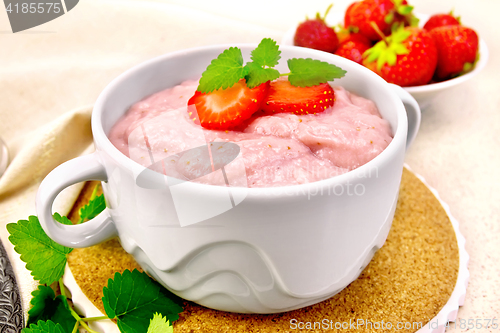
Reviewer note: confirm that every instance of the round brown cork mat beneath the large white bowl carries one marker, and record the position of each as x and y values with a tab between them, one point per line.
409	279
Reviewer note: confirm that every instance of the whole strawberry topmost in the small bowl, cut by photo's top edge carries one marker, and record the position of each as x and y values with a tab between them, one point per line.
384	13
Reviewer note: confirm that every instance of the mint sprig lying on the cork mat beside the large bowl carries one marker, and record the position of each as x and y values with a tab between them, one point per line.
137	296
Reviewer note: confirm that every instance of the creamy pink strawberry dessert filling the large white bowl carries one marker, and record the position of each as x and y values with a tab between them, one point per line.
283	149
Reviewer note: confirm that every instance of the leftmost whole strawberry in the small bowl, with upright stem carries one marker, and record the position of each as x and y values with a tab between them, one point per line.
315	34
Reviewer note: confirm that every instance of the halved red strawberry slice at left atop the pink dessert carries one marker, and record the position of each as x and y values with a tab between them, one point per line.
225	109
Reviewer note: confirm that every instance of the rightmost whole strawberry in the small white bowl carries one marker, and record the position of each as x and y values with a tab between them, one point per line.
457	48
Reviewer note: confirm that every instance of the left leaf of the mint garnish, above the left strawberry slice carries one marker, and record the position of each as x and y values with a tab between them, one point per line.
223	72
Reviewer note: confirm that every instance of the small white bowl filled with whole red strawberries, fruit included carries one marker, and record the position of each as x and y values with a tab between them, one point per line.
423	54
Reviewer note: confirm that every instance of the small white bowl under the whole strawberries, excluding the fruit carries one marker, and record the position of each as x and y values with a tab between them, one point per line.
423	94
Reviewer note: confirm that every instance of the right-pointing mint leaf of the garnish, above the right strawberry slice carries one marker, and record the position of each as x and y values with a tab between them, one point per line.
309	72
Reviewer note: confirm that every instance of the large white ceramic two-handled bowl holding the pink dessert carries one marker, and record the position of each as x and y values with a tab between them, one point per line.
278	248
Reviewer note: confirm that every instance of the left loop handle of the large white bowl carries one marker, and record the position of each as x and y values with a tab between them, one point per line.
97	230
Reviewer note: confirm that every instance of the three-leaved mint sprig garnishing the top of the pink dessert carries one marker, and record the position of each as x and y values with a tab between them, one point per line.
227	69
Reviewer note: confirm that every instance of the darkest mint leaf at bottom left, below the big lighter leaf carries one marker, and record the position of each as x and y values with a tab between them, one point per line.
46	306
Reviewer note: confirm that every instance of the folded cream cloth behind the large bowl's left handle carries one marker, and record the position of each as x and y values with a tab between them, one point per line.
39	152
